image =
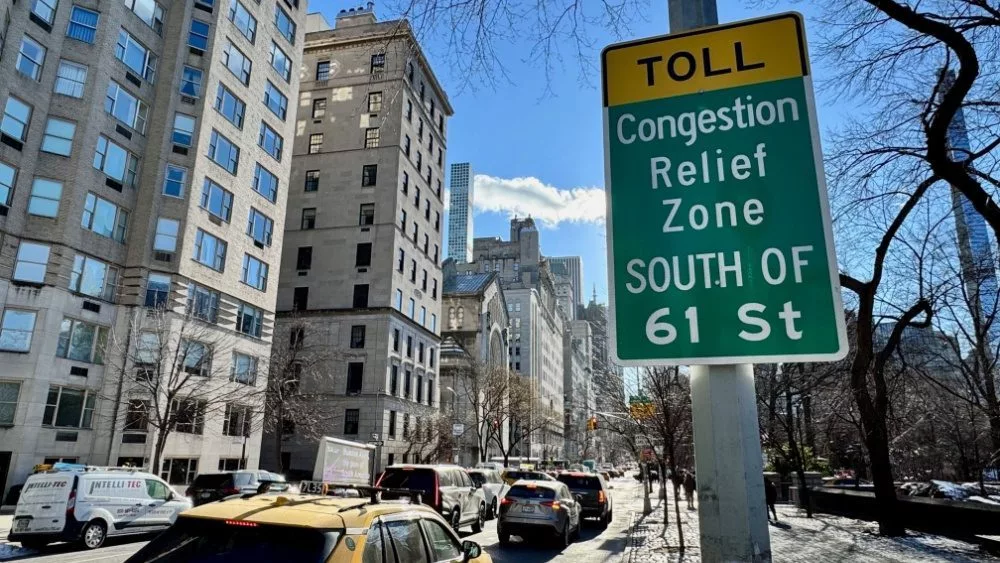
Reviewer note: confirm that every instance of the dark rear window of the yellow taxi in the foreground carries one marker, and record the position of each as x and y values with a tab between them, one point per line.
196	540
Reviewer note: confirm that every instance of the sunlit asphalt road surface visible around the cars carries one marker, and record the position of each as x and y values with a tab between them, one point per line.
594	546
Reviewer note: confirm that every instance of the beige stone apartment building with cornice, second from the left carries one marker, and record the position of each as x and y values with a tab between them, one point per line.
361	275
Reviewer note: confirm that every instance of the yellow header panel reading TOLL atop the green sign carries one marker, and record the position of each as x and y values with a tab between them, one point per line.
712	58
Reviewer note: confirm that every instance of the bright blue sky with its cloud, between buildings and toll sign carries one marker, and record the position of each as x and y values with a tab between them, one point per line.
552	142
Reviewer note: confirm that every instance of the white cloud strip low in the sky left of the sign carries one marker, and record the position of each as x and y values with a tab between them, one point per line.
547	204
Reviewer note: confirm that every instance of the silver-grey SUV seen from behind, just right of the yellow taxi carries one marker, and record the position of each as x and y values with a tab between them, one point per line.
532	509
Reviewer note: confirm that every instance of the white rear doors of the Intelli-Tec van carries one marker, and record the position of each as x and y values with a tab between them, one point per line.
43	503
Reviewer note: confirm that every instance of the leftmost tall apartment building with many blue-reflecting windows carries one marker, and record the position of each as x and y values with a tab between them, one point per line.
143	151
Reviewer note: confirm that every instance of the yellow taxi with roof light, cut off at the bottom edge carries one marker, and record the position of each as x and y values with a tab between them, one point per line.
294	528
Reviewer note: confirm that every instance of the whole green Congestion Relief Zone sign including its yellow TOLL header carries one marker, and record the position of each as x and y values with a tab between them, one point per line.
720	248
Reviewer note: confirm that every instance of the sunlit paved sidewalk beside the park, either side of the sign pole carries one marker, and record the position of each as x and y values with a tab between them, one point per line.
795	539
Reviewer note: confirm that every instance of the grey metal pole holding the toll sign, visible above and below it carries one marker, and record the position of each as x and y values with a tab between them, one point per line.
729	470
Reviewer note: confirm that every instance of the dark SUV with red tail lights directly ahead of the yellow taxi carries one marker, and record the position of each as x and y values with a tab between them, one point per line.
447	488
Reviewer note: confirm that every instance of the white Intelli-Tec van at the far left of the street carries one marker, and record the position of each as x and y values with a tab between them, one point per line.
89	504
